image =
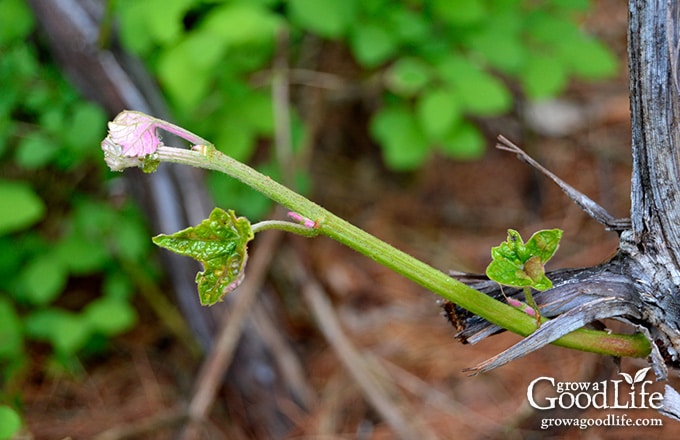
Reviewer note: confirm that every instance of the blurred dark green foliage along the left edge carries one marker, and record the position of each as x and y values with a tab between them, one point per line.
58	231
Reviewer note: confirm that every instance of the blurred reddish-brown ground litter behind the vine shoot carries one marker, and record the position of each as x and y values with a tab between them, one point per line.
449	214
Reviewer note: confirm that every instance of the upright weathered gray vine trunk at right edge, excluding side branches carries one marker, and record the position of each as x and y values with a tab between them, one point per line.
652	246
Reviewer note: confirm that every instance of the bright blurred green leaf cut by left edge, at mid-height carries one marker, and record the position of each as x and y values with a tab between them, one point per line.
20	207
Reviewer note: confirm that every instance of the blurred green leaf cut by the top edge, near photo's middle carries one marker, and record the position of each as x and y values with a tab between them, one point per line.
328	18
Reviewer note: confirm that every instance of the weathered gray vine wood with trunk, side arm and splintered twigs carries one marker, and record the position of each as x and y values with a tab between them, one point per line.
641	284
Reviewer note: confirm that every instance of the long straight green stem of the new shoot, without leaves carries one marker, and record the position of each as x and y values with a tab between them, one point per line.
330	225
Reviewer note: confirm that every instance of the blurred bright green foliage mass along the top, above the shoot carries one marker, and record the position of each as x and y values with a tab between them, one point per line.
440	62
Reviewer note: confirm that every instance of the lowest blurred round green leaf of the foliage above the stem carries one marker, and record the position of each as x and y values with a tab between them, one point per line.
404	144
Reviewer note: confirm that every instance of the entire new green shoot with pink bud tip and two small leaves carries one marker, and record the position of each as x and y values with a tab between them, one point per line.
220	242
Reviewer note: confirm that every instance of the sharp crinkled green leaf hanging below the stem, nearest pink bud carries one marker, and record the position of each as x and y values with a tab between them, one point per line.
219	244
